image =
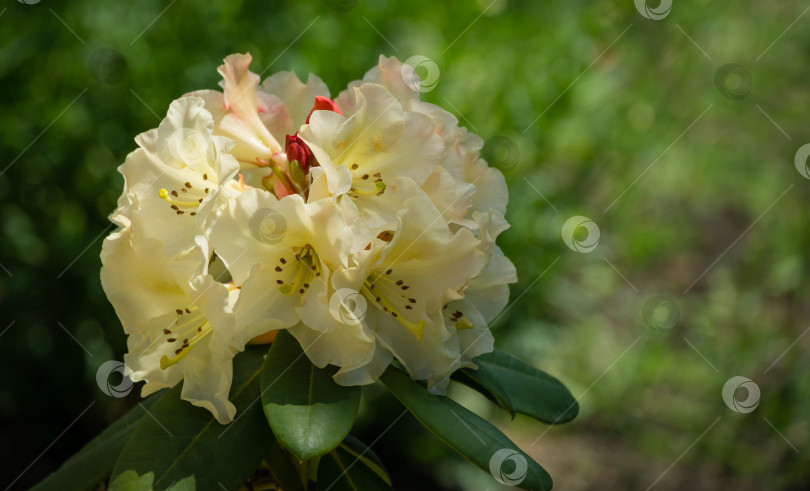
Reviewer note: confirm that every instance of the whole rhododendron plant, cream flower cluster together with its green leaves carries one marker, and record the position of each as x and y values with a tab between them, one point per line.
353	234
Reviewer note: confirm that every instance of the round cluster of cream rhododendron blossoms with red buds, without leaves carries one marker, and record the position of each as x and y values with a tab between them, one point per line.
365	225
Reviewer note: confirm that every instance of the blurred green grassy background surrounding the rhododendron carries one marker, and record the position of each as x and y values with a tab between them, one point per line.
594	110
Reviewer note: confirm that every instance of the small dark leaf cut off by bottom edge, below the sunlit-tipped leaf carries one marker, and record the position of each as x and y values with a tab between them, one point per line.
352	466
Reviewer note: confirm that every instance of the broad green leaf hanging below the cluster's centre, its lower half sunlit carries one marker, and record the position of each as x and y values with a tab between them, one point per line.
308	412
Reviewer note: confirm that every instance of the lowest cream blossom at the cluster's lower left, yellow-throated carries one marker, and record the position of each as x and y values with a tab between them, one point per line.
179	323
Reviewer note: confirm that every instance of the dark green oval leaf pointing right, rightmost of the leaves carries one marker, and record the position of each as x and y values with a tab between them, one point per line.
519	387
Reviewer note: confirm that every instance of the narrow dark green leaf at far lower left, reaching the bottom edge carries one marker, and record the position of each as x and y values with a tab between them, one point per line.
93	464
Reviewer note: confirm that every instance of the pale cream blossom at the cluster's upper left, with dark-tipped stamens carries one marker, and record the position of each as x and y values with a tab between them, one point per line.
180	175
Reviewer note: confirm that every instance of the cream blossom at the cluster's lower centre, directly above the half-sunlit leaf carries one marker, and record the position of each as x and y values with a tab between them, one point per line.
284	253
